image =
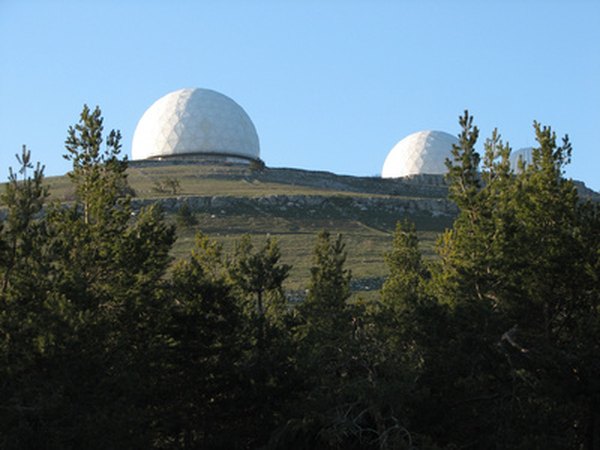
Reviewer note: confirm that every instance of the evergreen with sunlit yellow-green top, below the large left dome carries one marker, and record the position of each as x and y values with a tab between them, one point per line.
202	384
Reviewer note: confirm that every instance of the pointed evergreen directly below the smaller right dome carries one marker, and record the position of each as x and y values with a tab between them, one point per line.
408	326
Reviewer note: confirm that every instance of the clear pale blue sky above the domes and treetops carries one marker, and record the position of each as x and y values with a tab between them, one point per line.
330	85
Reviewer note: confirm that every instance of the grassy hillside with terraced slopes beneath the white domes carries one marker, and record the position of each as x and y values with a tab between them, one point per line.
367	233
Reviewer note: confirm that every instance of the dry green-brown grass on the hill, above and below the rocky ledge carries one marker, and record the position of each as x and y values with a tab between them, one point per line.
367	234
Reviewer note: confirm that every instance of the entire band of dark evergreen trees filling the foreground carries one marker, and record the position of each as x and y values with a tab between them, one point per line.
494	344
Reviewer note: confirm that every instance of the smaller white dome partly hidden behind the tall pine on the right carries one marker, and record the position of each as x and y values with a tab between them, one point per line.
420	152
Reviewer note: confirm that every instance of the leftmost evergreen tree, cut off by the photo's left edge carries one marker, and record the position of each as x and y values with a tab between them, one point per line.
25	316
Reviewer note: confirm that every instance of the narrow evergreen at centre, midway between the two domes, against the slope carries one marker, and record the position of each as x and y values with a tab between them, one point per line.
324	334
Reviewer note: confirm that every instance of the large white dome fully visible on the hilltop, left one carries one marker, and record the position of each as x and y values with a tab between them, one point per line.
195	122
